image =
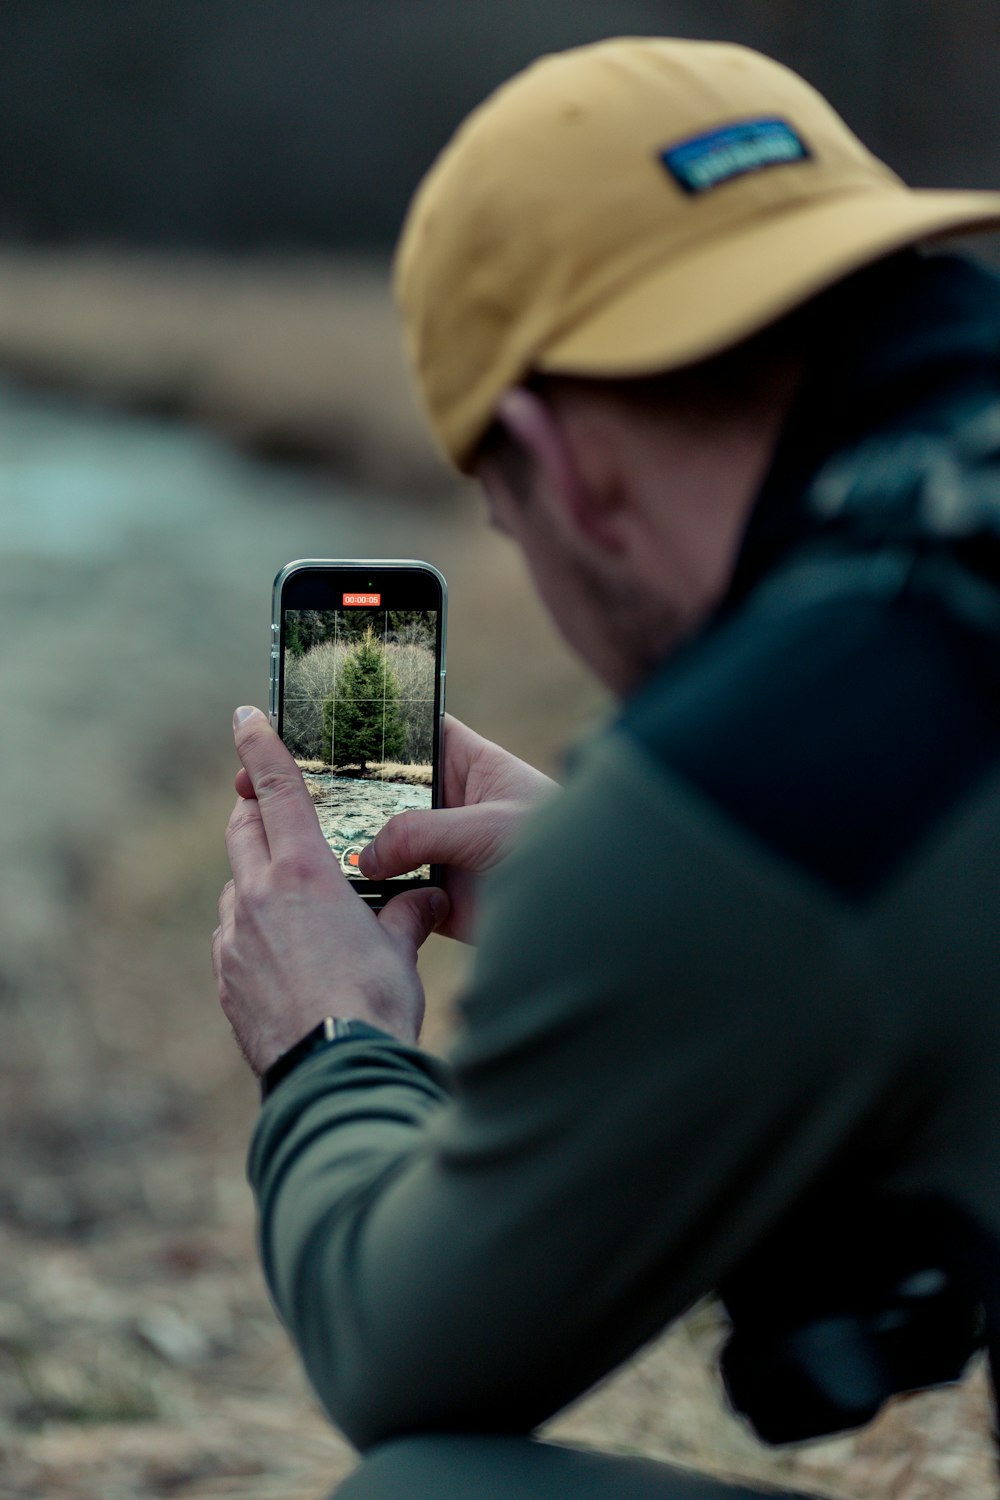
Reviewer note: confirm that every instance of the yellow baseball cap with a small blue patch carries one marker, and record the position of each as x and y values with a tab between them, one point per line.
636	206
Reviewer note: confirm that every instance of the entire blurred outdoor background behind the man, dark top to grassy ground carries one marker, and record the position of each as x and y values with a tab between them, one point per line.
200	380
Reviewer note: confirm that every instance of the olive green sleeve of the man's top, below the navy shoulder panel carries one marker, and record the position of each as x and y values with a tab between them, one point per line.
653	1069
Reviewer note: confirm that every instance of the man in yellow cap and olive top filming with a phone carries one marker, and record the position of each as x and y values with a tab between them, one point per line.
663	307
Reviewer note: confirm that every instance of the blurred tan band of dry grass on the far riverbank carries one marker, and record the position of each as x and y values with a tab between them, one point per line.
289	358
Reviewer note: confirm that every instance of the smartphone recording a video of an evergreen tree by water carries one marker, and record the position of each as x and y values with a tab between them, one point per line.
358	695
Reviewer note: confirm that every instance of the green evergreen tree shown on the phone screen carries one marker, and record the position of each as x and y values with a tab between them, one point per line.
365	721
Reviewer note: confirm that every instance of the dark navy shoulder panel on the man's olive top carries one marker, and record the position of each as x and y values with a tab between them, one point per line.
837	734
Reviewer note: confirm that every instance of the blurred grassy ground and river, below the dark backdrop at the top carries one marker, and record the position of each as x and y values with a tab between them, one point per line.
139	1357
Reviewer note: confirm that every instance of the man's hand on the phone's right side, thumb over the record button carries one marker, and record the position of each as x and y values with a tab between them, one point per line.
487	796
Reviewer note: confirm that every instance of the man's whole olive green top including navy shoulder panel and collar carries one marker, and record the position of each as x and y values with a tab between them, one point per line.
744	967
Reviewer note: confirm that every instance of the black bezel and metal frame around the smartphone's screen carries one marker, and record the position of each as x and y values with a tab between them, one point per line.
376	893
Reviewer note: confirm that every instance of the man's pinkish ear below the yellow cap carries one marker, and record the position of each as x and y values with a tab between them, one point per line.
540	430
